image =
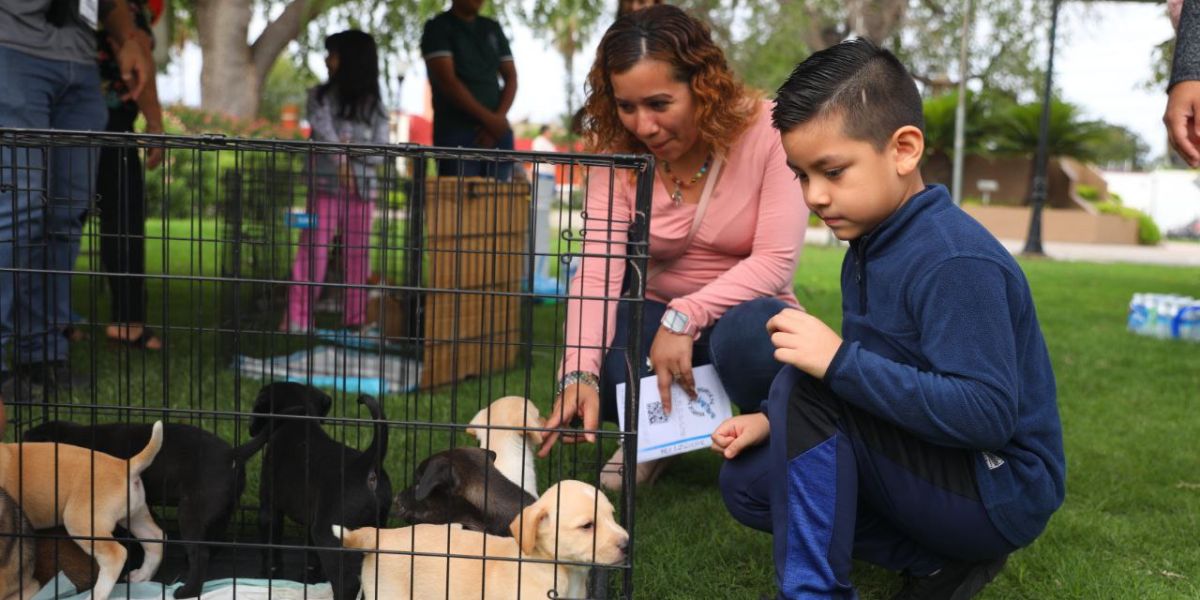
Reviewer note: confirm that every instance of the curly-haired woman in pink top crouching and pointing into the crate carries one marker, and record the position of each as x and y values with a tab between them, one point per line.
727	226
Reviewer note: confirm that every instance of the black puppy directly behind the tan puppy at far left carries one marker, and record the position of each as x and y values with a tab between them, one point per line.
196	471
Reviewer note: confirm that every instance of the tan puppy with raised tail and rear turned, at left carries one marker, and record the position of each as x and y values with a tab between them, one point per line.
89	494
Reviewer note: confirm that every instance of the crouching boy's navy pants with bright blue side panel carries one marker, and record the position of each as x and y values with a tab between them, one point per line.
837	483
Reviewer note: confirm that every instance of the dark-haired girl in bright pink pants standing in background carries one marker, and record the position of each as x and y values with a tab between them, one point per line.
346	110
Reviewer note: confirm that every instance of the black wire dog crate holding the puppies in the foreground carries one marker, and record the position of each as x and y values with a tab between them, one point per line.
334	393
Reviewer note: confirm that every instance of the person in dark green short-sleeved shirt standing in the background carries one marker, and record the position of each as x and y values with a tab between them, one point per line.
467	56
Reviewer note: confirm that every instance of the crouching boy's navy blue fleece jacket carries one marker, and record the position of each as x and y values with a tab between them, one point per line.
941	338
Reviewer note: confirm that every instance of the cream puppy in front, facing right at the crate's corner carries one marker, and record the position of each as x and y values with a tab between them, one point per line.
571	523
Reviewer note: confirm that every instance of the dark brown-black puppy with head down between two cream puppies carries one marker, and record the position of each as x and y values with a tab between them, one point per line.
463	485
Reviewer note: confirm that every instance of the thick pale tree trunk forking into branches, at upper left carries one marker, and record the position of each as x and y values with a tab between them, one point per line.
235	70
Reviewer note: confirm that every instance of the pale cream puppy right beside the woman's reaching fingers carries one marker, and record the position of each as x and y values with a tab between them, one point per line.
514	448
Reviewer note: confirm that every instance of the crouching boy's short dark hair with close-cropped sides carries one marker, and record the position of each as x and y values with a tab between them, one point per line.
865	83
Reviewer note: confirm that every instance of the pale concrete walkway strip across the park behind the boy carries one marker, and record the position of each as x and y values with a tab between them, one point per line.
1174	254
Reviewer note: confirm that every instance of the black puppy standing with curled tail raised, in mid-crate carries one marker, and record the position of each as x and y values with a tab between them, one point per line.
317	482
